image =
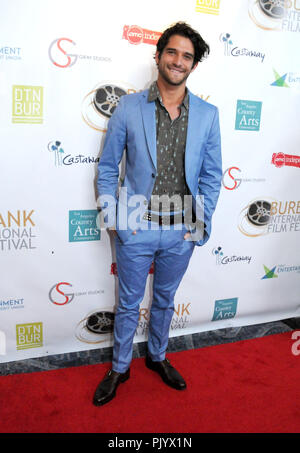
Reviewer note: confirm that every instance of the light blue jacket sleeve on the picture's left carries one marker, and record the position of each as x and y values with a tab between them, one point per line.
108	167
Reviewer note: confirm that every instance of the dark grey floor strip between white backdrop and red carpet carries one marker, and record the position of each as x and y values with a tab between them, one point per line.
196	340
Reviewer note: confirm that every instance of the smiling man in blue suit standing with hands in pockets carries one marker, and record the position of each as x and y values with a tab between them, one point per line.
165	205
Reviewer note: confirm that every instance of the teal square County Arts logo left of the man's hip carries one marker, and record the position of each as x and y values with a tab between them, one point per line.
83	226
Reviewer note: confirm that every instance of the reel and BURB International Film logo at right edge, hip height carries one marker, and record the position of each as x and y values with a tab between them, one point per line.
268	216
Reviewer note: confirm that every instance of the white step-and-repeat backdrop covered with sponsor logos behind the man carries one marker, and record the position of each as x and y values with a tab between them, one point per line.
63	66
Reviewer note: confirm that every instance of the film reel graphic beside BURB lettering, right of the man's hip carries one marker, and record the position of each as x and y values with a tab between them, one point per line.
255	217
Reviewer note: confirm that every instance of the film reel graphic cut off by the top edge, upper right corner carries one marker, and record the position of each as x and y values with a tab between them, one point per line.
267	14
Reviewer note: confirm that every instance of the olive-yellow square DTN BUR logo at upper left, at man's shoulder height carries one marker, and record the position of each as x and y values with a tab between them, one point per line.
27	104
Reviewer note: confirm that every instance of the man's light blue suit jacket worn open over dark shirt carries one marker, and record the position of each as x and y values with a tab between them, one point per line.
133	127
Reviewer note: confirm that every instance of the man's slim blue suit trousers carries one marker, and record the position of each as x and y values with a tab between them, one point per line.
170	252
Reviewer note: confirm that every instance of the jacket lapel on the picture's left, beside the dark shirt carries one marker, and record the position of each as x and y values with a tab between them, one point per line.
148	115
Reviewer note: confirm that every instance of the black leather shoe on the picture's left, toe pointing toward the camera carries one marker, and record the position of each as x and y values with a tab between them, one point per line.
106	390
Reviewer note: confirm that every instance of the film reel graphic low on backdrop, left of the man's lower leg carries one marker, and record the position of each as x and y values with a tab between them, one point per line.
96	327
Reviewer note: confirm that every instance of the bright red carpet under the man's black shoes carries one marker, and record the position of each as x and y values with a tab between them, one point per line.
249	386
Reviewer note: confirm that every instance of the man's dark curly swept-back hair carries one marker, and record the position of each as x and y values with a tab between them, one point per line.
201	48
